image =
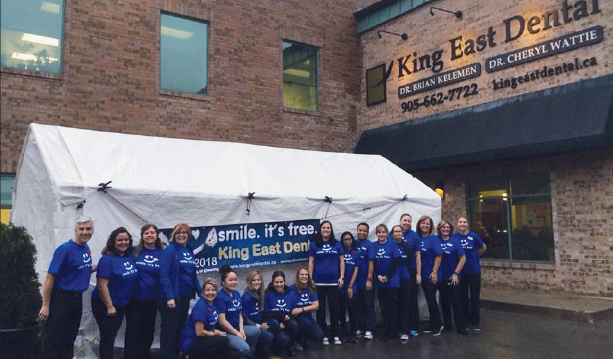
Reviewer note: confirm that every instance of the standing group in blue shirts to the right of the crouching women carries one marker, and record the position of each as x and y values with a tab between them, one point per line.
348	273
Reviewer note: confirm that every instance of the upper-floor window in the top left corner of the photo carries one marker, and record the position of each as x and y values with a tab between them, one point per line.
32	35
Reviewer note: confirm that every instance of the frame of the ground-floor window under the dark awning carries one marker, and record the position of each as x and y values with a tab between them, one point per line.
508	206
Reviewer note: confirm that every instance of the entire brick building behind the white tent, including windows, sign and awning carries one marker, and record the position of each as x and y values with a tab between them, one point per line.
506	105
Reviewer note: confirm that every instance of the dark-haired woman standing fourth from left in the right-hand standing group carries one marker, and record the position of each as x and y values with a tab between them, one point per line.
388	281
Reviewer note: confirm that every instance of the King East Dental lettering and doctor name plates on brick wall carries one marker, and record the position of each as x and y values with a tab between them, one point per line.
513	28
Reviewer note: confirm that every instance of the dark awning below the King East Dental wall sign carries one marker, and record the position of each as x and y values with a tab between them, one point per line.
567	118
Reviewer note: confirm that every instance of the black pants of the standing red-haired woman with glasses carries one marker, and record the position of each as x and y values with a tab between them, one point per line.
171	326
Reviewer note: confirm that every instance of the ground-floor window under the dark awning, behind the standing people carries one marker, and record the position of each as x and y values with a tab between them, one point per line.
513	216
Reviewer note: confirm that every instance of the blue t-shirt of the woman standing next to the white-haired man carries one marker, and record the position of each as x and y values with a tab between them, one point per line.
121	273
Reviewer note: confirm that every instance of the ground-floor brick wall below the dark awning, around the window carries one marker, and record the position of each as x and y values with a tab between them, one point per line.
582	209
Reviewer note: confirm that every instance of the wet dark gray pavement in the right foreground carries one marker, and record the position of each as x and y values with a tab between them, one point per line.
503	335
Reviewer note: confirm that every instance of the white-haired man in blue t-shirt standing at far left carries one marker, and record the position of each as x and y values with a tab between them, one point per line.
67	278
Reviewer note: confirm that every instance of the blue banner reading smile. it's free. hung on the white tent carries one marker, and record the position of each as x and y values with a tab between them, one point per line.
249	244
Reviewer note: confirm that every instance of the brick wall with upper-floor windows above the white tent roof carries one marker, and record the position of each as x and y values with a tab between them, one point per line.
110	75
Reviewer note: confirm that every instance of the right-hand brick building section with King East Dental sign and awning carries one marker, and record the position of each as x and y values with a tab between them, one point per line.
508	106
